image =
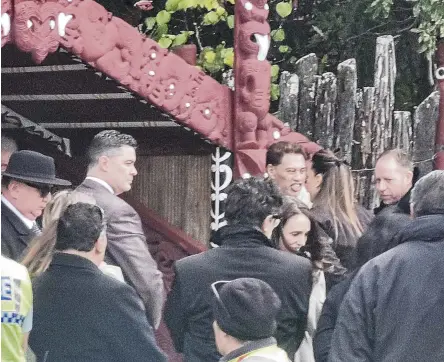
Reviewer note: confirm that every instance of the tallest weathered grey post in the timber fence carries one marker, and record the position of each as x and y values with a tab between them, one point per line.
385	74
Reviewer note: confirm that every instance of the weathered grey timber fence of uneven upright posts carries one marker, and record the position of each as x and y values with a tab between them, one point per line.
359	123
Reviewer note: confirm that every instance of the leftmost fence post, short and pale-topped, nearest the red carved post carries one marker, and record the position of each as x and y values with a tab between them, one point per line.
289	102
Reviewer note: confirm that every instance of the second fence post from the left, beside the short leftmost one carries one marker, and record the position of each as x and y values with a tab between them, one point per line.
306	69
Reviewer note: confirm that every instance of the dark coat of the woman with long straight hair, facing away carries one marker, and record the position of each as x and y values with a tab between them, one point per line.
344	235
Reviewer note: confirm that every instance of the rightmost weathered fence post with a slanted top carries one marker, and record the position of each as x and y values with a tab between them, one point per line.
424	127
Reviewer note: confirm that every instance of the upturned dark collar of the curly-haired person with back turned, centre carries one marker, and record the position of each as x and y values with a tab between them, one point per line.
240	236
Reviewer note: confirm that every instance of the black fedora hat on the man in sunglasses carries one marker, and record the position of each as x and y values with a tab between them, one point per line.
31	166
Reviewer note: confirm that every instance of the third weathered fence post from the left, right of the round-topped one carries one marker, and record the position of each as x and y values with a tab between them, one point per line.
325	103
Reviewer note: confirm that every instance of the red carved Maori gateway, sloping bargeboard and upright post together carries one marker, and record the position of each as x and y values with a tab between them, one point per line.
86	29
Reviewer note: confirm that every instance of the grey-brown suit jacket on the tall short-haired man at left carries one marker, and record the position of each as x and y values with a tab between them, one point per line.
127	248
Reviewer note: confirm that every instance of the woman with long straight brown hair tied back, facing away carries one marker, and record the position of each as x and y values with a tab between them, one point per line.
330	184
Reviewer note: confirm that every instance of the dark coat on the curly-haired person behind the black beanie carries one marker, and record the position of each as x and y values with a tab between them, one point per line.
243	253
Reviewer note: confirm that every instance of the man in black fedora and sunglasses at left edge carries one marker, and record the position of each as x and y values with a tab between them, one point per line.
26	189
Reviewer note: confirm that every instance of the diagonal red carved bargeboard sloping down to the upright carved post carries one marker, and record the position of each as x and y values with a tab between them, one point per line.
112	46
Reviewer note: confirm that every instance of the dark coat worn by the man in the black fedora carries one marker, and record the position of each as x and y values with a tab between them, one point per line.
15	234
